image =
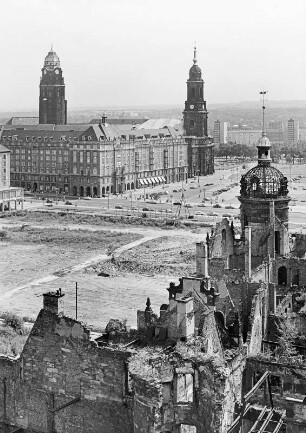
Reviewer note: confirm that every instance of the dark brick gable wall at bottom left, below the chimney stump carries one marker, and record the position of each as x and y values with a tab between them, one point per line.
59	364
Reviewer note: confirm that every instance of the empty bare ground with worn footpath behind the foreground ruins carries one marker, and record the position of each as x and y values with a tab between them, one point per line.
54	253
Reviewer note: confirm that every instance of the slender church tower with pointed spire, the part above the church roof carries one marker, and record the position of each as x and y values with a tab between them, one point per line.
195	113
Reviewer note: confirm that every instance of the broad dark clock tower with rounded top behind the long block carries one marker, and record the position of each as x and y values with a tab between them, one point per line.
52	103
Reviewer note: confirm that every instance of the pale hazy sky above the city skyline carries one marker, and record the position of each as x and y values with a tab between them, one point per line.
138	52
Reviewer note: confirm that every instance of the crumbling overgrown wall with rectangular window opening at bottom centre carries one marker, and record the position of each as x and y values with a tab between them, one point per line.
216	390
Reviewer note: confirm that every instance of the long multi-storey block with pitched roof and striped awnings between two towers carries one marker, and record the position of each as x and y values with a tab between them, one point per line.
86	161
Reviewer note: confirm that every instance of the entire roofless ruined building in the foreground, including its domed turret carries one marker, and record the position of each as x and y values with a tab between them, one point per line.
225	355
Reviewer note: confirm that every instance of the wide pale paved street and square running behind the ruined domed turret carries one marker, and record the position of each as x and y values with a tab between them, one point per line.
195	192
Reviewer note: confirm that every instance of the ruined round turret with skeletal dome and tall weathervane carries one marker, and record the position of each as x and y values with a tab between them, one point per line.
264	205
